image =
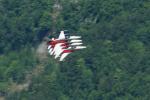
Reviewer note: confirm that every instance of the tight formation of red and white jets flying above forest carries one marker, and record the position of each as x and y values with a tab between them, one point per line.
64	45
